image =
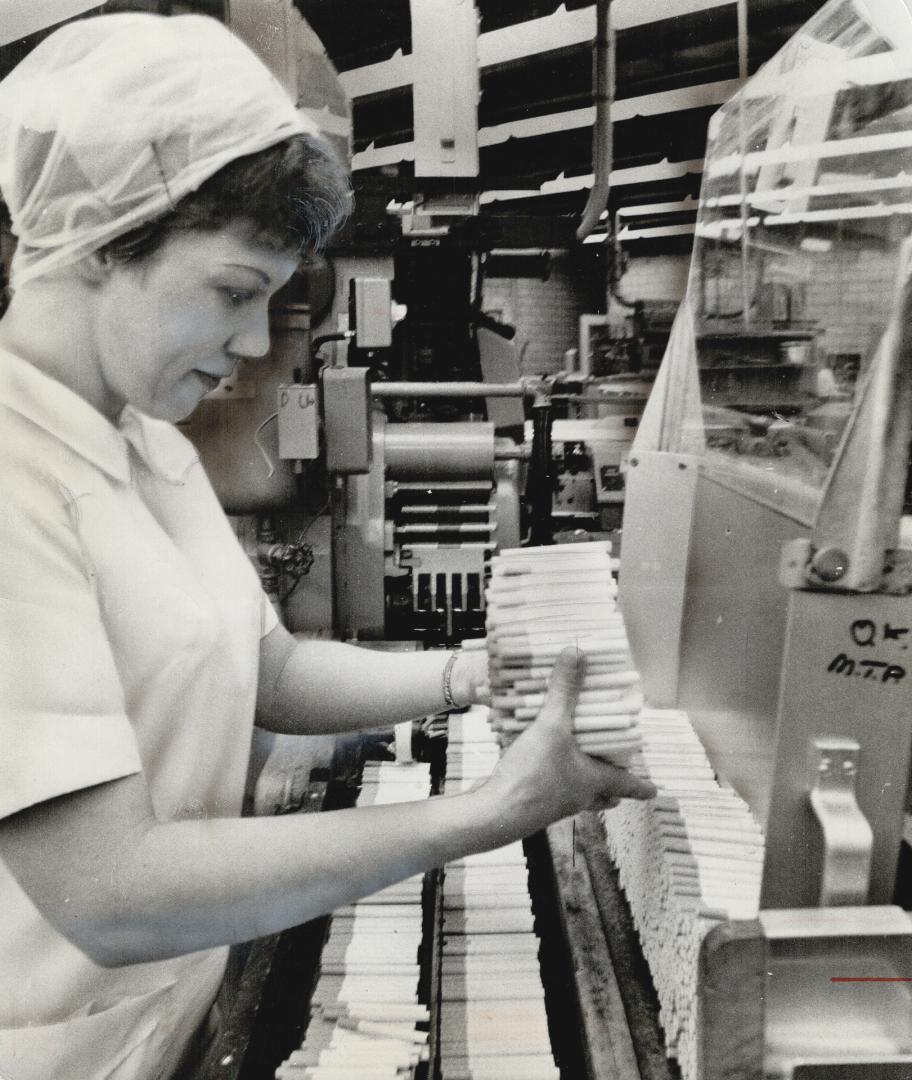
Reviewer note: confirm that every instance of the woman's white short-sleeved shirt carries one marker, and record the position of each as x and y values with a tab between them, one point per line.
130	624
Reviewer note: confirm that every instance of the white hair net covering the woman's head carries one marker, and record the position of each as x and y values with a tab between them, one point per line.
112	120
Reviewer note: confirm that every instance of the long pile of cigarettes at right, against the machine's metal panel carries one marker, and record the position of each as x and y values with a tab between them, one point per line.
687	860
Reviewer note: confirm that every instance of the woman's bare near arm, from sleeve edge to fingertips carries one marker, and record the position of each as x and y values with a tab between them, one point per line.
127	888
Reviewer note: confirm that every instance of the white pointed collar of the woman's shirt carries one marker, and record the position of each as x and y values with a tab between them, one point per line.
70	418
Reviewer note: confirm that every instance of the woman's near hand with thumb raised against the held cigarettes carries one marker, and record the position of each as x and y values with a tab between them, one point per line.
544	776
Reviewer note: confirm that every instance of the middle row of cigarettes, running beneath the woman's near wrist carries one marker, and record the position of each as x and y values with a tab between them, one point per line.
492	1004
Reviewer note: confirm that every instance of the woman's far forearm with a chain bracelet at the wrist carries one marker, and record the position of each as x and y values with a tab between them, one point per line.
318	687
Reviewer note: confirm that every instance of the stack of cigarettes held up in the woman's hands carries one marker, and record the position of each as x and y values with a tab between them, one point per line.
540	602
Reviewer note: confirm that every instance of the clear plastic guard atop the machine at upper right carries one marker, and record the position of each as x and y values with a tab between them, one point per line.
807	200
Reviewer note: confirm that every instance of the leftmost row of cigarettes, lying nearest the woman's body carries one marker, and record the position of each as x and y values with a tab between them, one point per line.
366	1020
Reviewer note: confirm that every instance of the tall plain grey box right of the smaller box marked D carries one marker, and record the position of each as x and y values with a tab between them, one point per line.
347	427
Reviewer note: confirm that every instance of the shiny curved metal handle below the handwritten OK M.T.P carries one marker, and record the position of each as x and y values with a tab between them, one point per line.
848	836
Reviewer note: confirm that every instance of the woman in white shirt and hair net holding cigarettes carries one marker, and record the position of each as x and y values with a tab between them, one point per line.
163	187
